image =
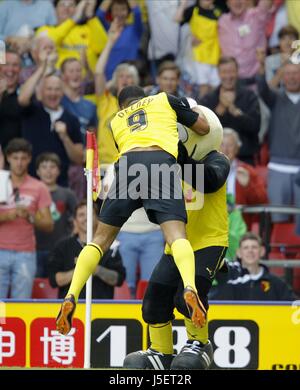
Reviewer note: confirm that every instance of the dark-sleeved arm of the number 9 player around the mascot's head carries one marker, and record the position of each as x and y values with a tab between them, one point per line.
192	118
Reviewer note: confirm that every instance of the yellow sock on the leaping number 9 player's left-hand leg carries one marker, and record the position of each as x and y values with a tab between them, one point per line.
87	261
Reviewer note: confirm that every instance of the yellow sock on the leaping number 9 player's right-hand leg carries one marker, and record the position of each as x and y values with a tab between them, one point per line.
184	258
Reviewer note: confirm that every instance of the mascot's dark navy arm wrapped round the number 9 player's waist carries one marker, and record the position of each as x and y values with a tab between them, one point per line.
216	169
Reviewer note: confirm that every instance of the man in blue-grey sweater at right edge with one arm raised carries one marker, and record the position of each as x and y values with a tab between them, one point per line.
283	136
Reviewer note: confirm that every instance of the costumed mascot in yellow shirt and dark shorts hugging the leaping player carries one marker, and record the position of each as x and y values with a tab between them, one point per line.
207	231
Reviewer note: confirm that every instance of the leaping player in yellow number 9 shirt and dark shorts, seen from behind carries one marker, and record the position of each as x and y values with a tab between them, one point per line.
145	131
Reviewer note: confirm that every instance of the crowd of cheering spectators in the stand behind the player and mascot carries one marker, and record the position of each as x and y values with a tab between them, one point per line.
65	63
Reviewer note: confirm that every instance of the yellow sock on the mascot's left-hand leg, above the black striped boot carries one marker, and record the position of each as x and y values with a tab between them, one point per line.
161	337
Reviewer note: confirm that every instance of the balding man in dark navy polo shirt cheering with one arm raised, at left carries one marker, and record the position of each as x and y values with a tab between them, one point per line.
47	125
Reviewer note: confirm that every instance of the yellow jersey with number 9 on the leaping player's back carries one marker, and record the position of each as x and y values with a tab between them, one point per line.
148	122
